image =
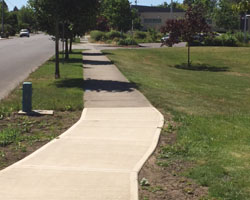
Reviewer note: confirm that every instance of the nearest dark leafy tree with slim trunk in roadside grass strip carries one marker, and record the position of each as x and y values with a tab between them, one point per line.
52	16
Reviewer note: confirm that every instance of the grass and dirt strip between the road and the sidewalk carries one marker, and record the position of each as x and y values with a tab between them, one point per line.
22	135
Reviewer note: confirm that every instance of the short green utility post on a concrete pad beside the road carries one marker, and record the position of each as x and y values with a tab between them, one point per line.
27	97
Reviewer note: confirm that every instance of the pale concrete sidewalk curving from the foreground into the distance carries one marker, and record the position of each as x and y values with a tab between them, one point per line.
100	156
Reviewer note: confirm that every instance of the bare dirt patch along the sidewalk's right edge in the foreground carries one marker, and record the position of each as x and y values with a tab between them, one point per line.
166	180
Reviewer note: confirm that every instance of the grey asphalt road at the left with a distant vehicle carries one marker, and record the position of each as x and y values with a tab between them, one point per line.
19	57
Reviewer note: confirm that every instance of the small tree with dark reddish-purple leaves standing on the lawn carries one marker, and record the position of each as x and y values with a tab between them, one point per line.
188	28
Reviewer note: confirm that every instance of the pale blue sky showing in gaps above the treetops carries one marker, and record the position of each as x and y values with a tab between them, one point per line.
20	3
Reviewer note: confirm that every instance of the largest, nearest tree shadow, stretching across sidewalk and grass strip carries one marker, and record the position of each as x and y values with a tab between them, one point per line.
96	85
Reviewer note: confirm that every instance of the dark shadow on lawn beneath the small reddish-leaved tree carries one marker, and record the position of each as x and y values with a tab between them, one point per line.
202	67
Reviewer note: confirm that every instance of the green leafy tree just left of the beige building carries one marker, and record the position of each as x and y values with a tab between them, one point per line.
118	14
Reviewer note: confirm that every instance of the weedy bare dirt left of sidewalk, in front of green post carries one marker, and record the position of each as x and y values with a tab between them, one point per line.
33	132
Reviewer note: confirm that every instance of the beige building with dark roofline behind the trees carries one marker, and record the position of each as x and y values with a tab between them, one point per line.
155	17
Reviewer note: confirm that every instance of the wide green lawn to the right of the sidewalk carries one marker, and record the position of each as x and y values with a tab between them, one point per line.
210	101
